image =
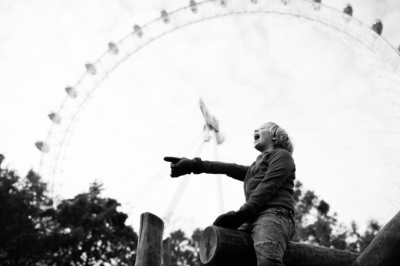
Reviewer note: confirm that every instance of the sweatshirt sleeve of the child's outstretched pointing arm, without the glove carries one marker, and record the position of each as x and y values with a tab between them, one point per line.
233	170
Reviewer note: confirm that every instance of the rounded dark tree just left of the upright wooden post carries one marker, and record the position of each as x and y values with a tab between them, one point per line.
91	231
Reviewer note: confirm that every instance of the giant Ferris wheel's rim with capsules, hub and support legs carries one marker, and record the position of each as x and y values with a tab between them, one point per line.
365	39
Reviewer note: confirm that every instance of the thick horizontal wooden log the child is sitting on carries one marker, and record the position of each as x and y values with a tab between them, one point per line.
221	246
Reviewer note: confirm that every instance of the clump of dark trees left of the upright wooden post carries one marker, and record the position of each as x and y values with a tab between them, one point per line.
84	230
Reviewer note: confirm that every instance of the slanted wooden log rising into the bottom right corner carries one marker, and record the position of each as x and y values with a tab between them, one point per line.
384	250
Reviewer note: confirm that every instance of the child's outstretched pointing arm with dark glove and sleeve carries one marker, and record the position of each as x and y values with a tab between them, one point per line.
182	166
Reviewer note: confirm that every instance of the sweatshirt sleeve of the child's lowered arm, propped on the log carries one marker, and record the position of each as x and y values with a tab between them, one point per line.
280	166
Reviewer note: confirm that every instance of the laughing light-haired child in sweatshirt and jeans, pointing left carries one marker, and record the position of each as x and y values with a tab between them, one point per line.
268	185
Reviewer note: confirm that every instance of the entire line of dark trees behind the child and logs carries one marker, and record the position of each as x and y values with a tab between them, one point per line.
88	229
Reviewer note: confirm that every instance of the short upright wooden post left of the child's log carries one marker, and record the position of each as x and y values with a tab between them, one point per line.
150	240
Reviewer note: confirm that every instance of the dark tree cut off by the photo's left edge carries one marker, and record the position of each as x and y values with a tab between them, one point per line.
25	212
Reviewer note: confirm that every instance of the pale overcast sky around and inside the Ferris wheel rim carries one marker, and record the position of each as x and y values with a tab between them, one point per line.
248	69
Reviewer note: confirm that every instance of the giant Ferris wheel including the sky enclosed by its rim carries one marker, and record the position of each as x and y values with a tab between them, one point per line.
197	81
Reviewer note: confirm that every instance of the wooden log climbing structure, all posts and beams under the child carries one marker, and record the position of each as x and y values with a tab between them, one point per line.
223	247
